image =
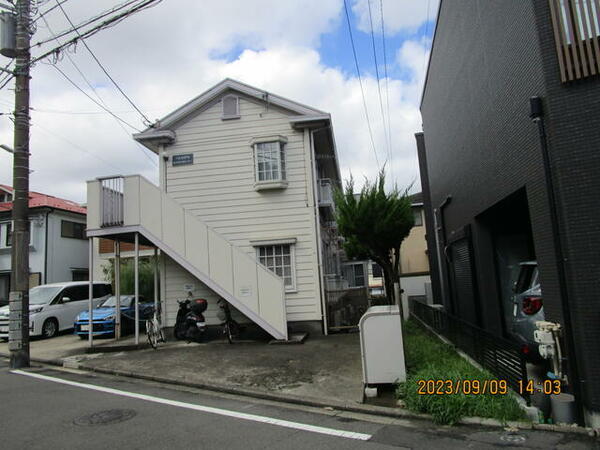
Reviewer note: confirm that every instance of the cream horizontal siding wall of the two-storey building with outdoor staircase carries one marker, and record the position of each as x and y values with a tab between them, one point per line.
219	188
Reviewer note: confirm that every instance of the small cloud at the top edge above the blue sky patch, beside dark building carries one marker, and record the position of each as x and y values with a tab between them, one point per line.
399	15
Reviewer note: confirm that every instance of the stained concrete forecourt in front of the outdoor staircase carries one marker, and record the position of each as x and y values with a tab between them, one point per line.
326	369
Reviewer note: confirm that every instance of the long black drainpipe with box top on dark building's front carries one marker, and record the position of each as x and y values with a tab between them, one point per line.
537	116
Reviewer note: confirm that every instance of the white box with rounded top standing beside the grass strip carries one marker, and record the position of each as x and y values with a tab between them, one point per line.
381	345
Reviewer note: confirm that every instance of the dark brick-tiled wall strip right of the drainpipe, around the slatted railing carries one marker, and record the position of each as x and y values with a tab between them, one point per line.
573	126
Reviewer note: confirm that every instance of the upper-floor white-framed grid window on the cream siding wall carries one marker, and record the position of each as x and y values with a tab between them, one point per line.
269	159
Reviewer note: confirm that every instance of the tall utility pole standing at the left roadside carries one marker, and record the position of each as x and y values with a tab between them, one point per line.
19	295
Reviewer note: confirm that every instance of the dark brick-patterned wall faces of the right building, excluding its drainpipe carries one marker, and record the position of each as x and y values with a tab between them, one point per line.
488	59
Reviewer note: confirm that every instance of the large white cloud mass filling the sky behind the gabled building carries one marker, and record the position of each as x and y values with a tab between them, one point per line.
162	63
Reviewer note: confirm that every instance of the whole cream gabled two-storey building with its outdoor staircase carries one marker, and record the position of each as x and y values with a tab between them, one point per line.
243	210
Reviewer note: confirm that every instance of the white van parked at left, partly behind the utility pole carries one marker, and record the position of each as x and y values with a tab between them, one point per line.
54	307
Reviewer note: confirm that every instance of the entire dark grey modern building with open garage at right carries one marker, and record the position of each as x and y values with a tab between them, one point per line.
491	199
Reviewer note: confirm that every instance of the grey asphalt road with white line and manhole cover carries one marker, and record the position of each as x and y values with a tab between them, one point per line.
56	409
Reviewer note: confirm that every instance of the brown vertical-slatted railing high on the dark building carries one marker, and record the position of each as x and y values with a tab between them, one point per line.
576	25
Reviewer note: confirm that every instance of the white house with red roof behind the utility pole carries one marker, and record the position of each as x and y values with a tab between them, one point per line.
57	248
